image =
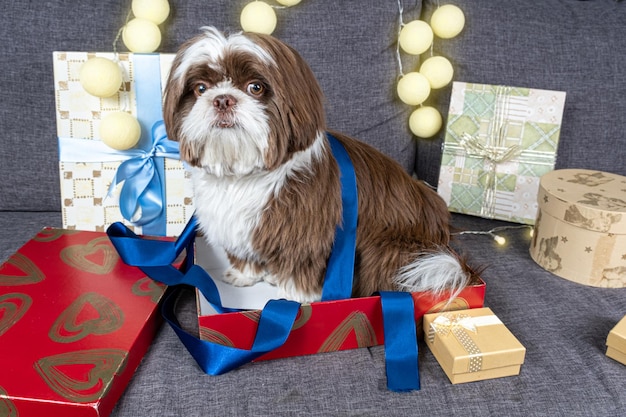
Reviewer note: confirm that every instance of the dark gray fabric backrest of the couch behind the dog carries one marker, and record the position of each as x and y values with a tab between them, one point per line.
574	46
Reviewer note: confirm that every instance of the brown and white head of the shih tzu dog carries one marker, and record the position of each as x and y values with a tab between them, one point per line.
240	104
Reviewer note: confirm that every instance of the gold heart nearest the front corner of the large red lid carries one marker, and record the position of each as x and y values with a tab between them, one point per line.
81	376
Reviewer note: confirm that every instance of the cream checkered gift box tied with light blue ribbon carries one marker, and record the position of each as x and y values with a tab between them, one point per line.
146	187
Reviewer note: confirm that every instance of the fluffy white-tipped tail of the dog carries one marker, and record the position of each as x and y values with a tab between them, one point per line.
436	271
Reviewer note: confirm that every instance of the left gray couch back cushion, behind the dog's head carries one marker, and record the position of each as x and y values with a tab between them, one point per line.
349	45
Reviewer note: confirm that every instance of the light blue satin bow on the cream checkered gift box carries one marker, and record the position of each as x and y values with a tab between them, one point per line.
142	195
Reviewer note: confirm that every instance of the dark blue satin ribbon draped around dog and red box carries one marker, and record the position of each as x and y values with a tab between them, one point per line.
156	257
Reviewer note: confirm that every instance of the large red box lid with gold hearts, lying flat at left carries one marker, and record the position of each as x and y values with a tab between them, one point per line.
75	322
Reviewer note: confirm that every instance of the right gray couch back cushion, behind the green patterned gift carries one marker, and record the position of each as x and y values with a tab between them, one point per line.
572	46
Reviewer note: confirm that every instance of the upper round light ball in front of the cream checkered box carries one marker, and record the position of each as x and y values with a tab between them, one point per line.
100	77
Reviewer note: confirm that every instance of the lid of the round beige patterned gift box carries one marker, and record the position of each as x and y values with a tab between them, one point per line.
592	200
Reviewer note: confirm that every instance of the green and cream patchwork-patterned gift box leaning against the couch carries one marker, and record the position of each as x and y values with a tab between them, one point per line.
499	142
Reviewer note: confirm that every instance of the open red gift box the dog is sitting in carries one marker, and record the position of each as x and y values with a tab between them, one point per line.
320	327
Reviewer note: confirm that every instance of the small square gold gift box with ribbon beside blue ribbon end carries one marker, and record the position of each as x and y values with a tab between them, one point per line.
473	345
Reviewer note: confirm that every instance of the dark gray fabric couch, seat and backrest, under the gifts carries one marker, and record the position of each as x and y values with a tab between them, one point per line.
573	46
